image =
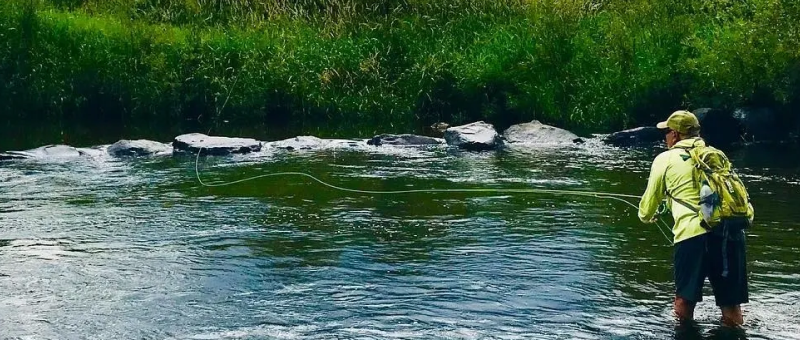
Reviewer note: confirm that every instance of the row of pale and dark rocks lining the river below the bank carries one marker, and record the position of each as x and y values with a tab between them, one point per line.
718	127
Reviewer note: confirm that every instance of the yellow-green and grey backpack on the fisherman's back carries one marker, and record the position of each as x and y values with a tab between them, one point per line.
723	196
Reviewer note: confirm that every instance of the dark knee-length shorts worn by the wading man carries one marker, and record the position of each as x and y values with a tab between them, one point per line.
702	256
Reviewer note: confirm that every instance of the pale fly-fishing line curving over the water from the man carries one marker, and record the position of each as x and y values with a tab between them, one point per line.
596	194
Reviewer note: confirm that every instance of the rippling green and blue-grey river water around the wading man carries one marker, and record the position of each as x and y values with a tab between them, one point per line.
103	248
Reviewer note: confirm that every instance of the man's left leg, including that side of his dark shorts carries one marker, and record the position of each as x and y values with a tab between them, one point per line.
690	273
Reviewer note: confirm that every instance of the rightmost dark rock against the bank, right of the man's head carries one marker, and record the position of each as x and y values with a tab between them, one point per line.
760	124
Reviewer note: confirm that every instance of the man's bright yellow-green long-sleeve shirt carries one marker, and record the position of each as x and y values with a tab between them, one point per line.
672	171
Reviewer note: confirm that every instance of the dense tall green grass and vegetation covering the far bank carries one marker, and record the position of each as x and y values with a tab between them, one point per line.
395	64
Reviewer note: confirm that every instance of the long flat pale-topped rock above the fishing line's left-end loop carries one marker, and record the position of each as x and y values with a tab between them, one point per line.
212	145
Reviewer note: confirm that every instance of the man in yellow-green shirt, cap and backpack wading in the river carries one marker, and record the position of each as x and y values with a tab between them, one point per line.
708	234
